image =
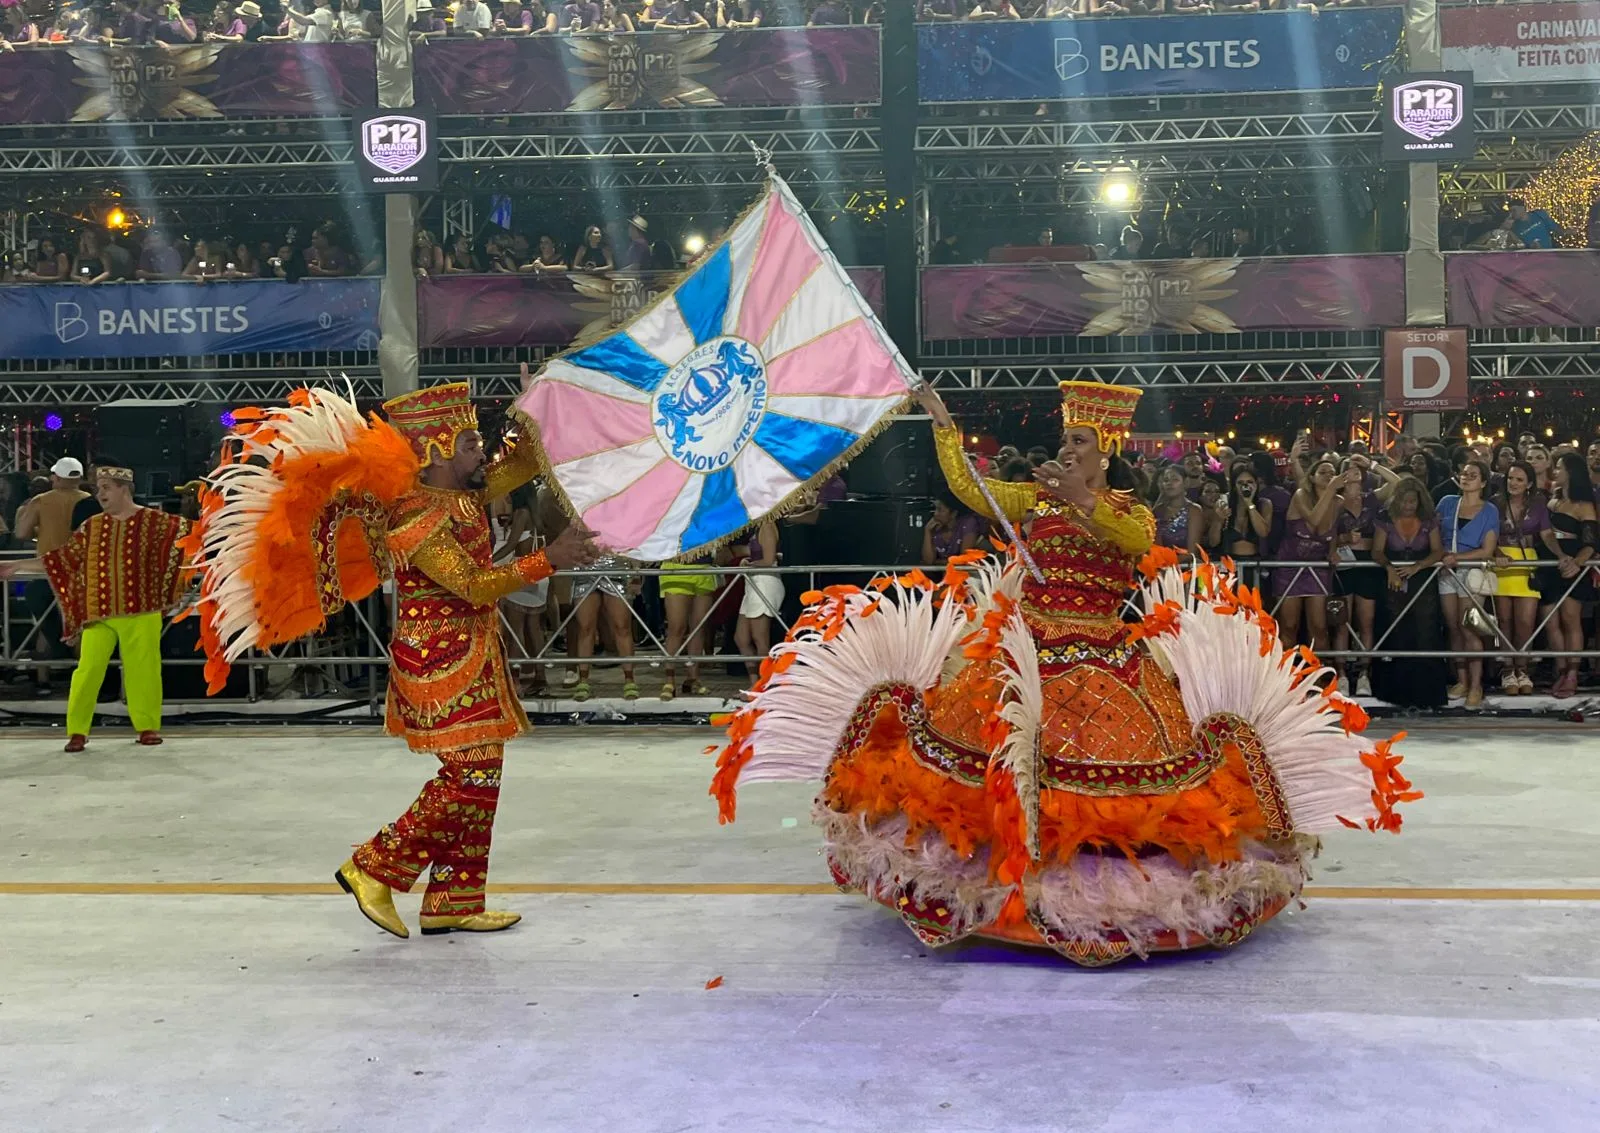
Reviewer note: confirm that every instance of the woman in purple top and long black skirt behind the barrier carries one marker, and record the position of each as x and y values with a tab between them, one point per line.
1406	545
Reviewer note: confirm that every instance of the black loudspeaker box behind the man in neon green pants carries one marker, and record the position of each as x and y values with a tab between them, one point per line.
167	444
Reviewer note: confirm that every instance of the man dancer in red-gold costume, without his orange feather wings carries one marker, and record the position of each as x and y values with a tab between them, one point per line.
449	689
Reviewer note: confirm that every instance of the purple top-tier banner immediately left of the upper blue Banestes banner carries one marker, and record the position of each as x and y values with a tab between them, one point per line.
802	66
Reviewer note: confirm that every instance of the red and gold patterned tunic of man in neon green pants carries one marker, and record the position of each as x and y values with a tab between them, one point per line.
113	567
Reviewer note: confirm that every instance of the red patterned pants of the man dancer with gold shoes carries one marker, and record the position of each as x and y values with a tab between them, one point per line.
447	831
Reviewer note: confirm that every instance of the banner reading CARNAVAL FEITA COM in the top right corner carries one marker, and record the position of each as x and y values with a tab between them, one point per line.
1524	44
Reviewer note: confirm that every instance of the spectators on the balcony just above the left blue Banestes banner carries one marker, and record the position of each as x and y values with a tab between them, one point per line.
95	255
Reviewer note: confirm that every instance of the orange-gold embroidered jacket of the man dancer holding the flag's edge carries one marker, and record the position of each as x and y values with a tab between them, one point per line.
447	675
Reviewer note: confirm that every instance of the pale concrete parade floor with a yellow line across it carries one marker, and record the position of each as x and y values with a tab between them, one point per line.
202	1011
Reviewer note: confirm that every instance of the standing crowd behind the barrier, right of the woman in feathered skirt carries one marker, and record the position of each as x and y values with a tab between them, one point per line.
1479	550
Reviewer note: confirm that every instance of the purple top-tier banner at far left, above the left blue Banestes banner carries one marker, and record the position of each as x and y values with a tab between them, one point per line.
207	81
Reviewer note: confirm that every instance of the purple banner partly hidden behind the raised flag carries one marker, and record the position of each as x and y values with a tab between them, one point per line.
553	310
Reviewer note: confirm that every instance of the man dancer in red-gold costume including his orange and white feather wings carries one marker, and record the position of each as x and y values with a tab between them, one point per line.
314	508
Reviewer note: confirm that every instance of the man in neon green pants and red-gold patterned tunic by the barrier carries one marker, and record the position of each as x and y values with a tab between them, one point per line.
114	580
